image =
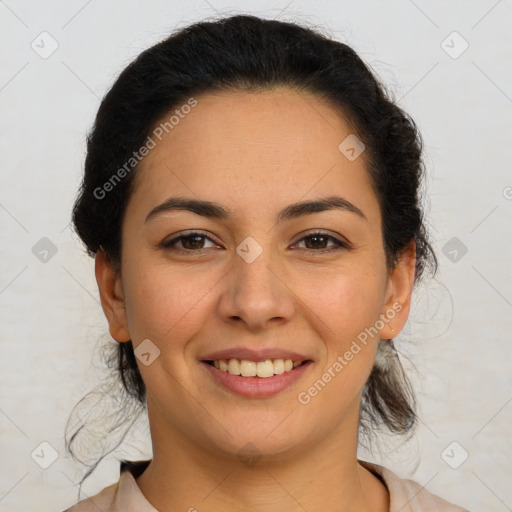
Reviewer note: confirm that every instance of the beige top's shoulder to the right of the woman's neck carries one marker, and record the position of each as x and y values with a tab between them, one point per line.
408	495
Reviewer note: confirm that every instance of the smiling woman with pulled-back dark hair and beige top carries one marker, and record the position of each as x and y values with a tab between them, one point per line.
251	197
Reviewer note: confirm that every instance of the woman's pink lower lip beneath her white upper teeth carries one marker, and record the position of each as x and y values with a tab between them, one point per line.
257	387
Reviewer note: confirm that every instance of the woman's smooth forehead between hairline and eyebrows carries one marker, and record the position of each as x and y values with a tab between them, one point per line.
270	146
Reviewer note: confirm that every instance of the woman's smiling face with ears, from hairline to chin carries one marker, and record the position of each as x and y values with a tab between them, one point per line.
254	279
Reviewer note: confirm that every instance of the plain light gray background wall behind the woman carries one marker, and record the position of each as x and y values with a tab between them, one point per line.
459	332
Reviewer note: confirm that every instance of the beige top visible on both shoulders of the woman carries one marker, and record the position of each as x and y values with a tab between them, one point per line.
125	495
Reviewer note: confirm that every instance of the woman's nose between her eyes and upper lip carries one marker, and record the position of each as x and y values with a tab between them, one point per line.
256	293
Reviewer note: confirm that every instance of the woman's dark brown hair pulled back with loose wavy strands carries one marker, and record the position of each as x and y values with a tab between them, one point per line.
250	54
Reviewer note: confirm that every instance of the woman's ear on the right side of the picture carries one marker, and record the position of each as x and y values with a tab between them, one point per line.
398	293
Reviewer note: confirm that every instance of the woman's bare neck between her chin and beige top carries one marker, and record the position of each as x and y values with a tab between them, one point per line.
326	476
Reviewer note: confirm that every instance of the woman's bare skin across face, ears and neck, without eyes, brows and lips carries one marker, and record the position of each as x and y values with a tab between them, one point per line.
256	154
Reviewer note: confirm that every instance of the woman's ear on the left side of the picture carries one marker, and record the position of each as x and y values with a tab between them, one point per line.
111	295
